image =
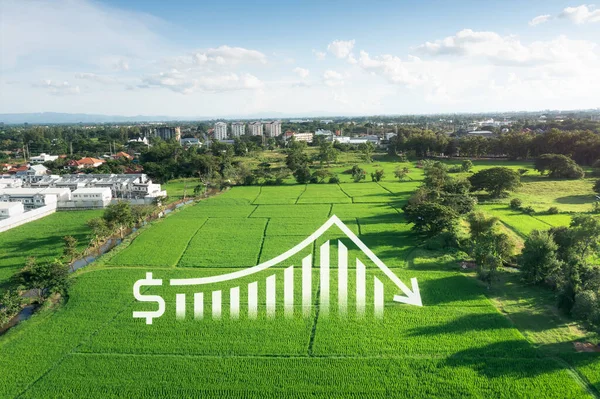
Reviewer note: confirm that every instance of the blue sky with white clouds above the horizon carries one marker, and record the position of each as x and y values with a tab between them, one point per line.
192	58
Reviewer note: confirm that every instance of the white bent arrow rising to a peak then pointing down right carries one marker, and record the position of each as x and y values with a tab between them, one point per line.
411	296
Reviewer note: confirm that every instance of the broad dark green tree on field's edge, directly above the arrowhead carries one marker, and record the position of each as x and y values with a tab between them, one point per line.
430	218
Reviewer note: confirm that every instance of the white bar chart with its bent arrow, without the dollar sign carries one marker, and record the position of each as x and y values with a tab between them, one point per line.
278	290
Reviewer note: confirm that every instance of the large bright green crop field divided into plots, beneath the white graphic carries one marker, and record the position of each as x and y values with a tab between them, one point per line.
457	345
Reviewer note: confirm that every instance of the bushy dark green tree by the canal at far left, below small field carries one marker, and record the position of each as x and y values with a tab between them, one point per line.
45	278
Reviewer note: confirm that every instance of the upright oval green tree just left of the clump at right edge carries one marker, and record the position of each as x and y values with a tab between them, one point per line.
538	260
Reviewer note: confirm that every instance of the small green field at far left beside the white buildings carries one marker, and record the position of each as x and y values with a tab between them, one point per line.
42	238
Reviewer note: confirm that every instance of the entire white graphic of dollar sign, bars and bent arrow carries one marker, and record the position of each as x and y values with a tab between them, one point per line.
273	283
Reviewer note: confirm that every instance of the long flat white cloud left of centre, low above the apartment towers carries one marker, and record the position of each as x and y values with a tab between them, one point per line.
187	83
